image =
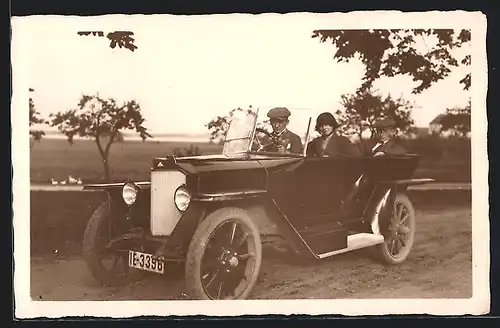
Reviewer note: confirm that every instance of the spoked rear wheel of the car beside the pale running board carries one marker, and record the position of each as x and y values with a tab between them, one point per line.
400	234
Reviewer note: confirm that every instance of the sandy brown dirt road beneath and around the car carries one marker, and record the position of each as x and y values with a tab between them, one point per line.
439	267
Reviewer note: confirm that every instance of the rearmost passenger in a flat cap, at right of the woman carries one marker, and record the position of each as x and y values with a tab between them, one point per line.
386	144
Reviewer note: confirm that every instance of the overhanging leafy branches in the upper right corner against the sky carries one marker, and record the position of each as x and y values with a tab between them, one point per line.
394	52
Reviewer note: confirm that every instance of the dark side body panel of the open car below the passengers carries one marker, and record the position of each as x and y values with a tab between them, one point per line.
318	190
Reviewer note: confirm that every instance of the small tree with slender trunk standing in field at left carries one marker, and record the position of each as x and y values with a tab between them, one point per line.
101	119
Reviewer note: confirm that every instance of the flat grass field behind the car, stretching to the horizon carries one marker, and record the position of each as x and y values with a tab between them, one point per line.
56	158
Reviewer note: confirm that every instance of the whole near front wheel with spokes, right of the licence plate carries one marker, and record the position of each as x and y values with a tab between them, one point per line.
224	257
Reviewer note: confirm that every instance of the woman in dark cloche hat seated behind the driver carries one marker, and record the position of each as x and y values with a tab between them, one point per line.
329	144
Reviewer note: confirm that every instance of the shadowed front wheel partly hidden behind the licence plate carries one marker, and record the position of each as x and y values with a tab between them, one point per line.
107	266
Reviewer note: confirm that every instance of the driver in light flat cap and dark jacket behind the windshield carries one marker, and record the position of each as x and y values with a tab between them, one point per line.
285	141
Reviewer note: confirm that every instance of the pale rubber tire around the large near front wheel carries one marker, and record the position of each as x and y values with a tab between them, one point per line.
198	244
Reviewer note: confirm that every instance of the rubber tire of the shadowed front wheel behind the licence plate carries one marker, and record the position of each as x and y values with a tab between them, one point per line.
91	256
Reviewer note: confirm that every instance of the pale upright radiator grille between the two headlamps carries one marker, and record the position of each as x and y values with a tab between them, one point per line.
164	213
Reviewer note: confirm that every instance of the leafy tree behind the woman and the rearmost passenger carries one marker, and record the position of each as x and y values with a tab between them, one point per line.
362	109
